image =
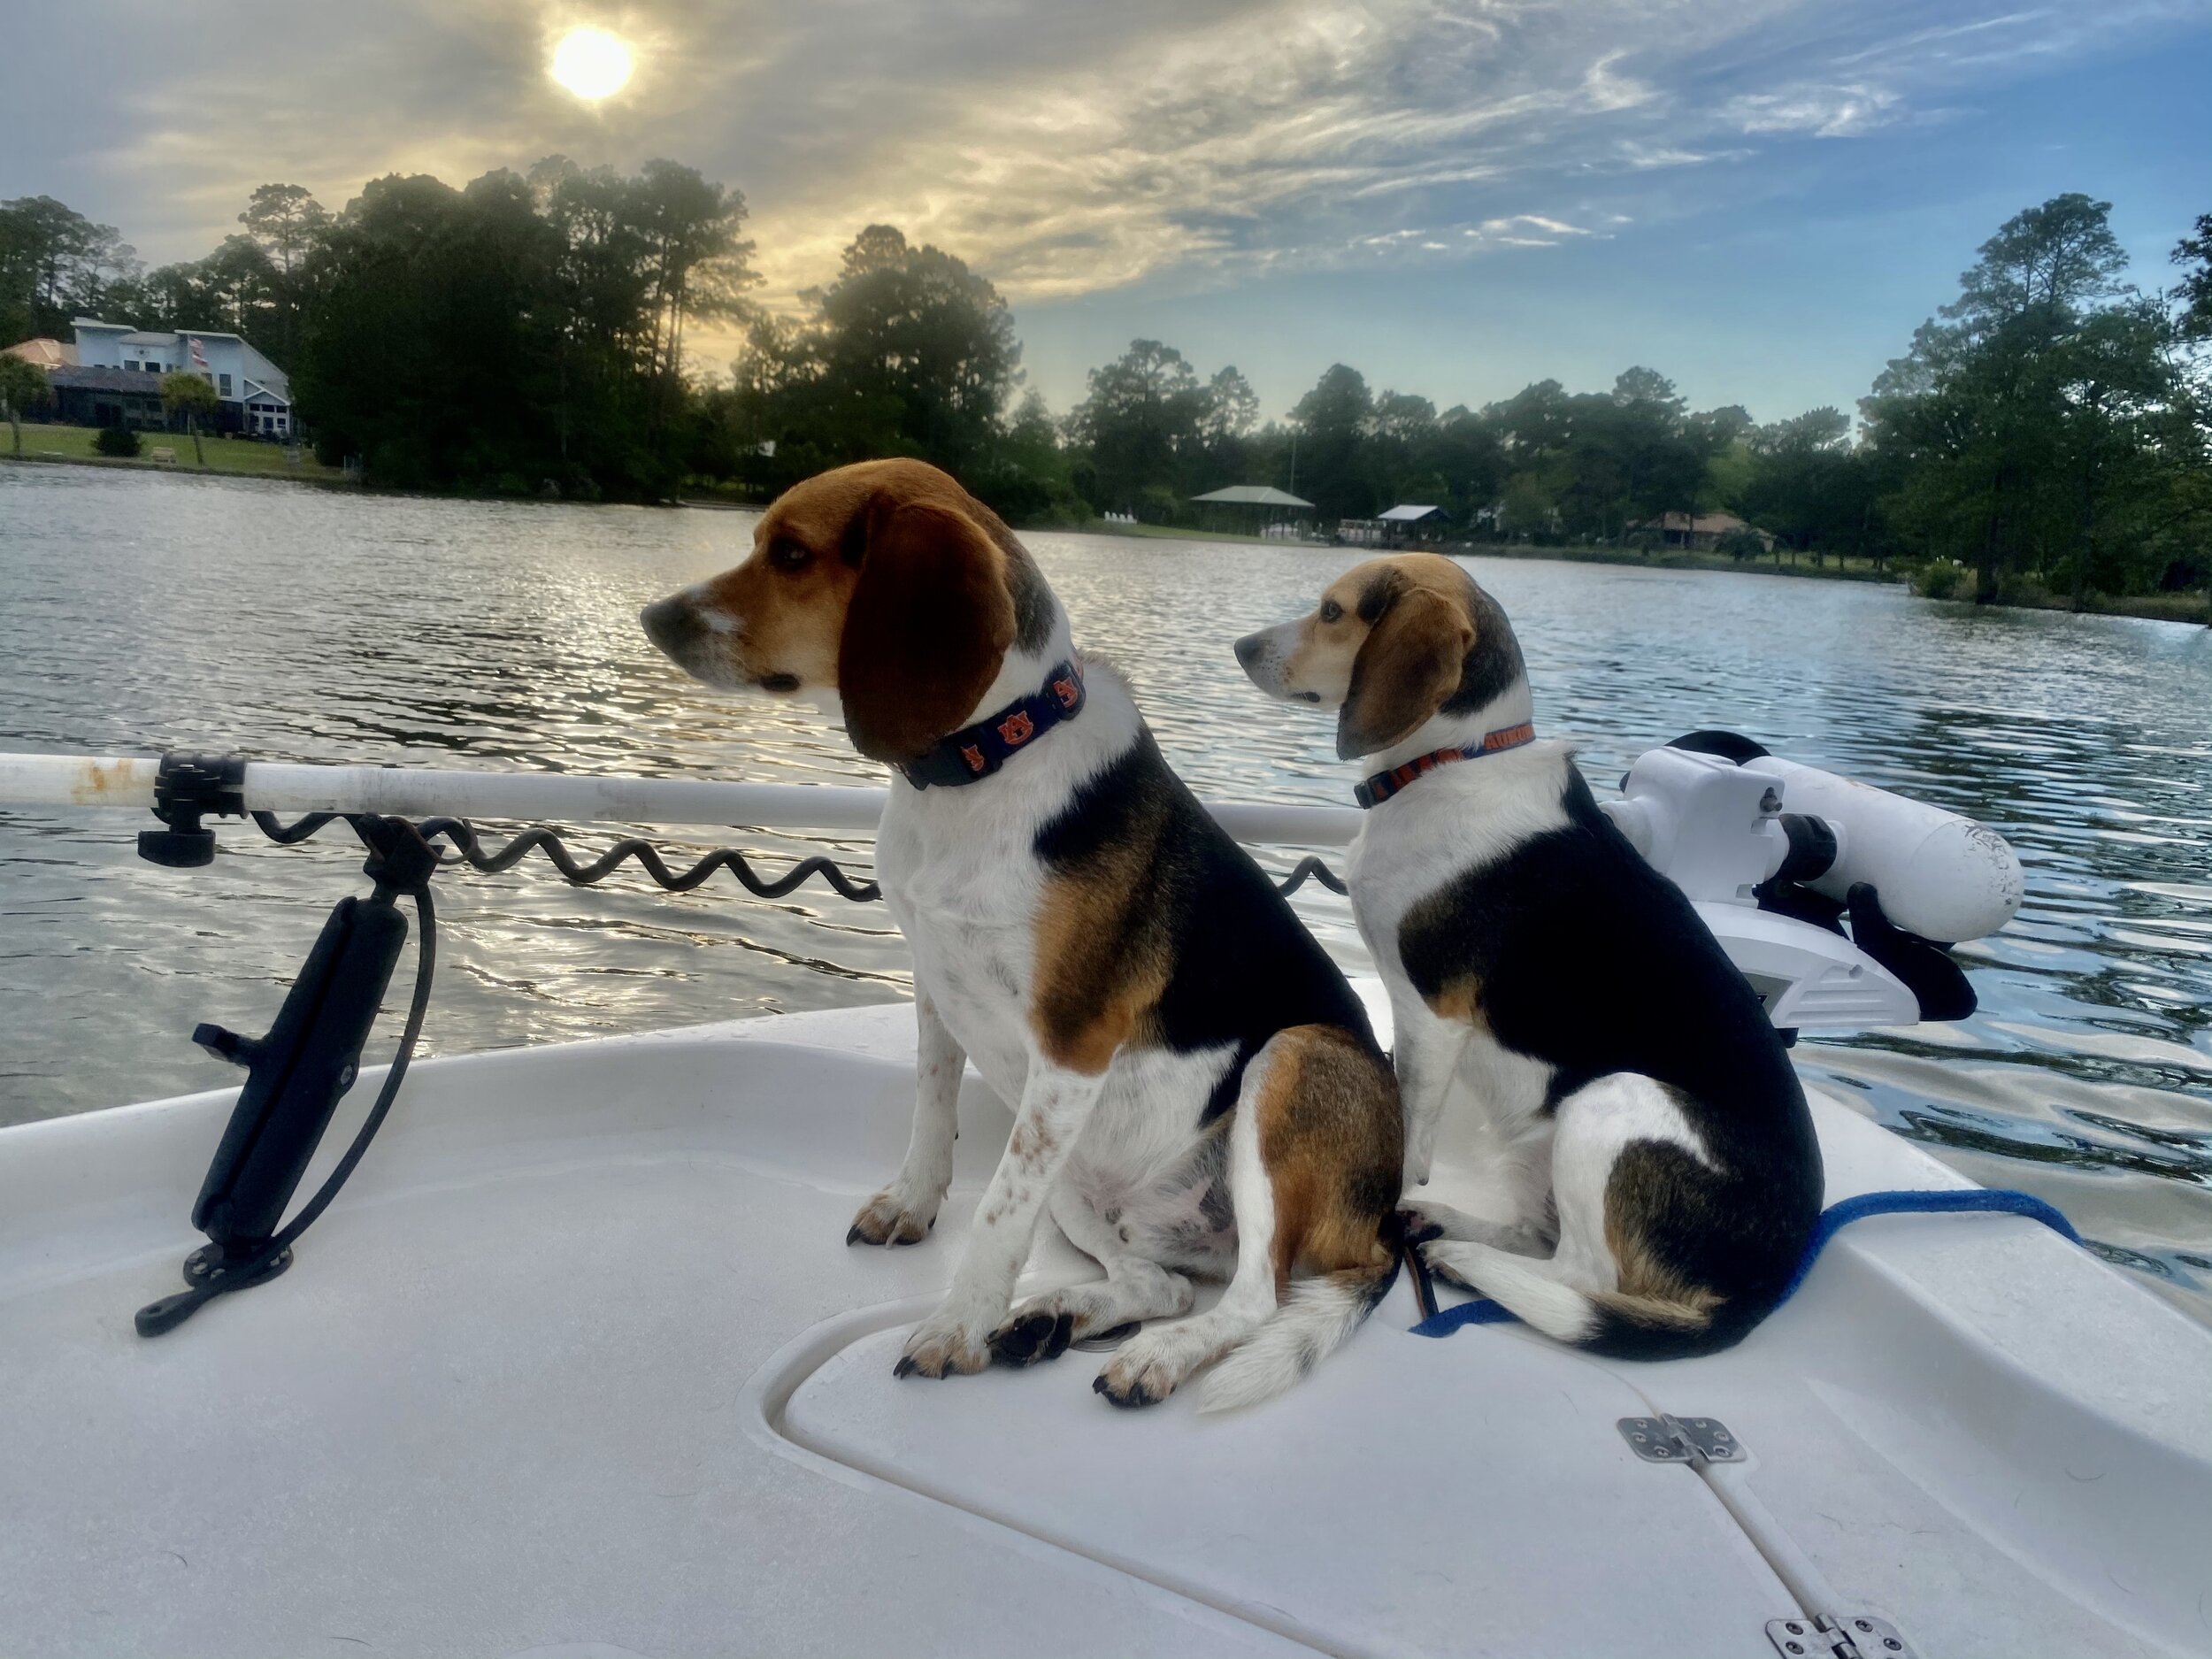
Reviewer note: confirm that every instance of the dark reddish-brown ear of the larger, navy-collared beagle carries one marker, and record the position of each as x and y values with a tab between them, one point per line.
926	632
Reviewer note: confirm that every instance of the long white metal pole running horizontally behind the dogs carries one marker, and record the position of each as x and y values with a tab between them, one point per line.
556	797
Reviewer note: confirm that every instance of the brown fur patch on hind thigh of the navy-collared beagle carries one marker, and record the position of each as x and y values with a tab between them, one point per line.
1333	1140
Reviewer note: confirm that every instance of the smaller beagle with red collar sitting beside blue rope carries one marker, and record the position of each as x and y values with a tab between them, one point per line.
1651	1160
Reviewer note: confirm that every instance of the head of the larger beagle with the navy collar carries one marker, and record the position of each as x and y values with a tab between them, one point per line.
884	587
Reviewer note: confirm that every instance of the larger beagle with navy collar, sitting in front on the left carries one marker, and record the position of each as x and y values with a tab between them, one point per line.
1198	1092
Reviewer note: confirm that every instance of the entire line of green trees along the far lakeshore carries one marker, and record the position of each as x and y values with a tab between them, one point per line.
528	333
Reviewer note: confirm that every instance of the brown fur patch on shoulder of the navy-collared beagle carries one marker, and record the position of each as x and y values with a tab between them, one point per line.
1103	948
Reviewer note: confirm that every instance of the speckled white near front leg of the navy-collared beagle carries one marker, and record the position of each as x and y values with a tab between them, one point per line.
1056	1103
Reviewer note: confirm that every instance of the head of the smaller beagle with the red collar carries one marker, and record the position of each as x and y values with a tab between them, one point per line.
1392	643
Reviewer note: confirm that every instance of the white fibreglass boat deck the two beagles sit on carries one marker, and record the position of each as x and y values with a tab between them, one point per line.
581	1366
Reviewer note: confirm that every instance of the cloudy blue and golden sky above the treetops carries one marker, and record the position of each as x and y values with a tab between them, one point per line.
1757	198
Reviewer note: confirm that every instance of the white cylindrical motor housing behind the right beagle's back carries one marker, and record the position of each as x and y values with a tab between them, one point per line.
1941	877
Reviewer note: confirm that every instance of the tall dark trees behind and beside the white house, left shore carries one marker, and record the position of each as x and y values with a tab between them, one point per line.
521	335
